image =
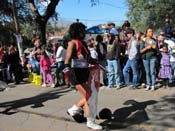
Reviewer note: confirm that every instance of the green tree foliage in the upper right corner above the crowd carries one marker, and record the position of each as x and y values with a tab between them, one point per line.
144	13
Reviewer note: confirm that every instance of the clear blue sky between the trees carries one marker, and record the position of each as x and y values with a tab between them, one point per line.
105	11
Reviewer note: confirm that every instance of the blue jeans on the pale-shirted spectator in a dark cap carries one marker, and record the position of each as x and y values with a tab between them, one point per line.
133	65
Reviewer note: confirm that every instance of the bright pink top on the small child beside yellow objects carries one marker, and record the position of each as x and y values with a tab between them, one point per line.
45	64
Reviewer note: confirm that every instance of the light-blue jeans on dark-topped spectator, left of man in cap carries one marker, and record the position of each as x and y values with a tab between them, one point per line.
114	72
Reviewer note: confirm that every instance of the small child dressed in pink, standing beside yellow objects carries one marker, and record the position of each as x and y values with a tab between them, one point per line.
45	65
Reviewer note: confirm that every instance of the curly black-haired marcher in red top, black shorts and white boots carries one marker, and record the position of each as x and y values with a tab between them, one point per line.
78	59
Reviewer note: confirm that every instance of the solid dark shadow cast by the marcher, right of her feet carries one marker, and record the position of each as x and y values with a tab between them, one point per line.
133	114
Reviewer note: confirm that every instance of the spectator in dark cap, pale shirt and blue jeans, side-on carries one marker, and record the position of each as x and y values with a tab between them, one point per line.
132	60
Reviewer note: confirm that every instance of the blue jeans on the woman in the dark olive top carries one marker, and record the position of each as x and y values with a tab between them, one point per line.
150	69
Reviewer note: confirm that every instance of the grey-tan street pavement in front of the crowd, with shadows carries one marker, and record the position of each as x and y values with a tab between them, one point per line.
27	107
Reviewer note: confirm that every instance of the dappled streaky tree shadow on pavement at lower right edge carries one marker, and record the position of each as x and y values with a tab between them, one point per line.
163	113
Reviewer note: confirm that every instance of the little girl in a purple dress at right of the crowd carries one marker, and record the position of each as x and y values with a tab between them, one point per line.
165	70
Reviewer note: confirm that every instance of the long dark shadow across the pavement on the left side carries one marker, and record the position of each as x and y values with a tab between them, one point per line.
35	101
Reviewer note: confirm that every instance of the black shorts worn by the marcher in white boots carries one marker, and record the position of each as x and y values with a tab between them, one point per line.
79	75
